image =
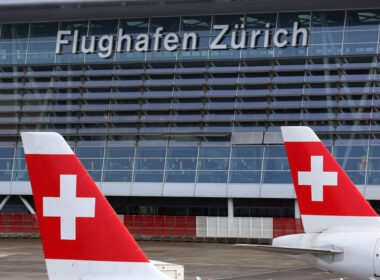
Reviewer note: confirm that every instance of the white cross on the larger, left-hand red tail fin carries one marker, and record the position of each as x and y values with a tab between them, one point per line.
68	207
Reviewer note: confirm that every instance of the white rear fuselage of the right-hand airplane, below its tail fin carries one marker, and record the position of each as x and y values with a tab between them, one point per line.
360	258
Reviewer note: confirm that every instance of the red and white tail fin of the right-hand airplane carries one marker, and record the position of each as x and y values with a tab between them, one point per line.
327	198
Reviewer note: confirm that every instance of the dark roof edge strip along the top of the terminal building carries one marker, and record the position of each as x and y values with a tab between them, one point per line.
40	10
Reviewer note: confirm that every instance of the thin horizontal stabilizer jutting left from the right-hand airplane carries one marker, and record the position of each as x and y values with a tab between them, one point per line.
291	250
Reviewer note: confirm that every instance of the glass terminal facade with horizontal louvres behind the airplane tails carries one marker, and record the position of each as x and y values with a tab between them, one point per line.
159	122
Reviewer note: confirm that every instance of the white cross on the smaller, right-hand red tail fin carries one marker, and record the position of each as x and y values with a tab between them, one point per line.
317	178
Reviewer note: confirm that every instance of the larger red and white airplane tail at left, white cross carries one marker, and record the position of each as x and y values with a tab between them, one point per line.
82	236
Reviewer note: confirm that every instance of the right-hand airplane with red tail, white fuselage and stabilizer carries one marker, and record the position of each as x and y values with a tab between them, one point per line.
342	231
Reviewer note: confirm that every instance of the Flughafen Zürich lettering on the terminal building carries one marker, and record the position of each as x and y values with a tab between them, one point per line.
240	39
